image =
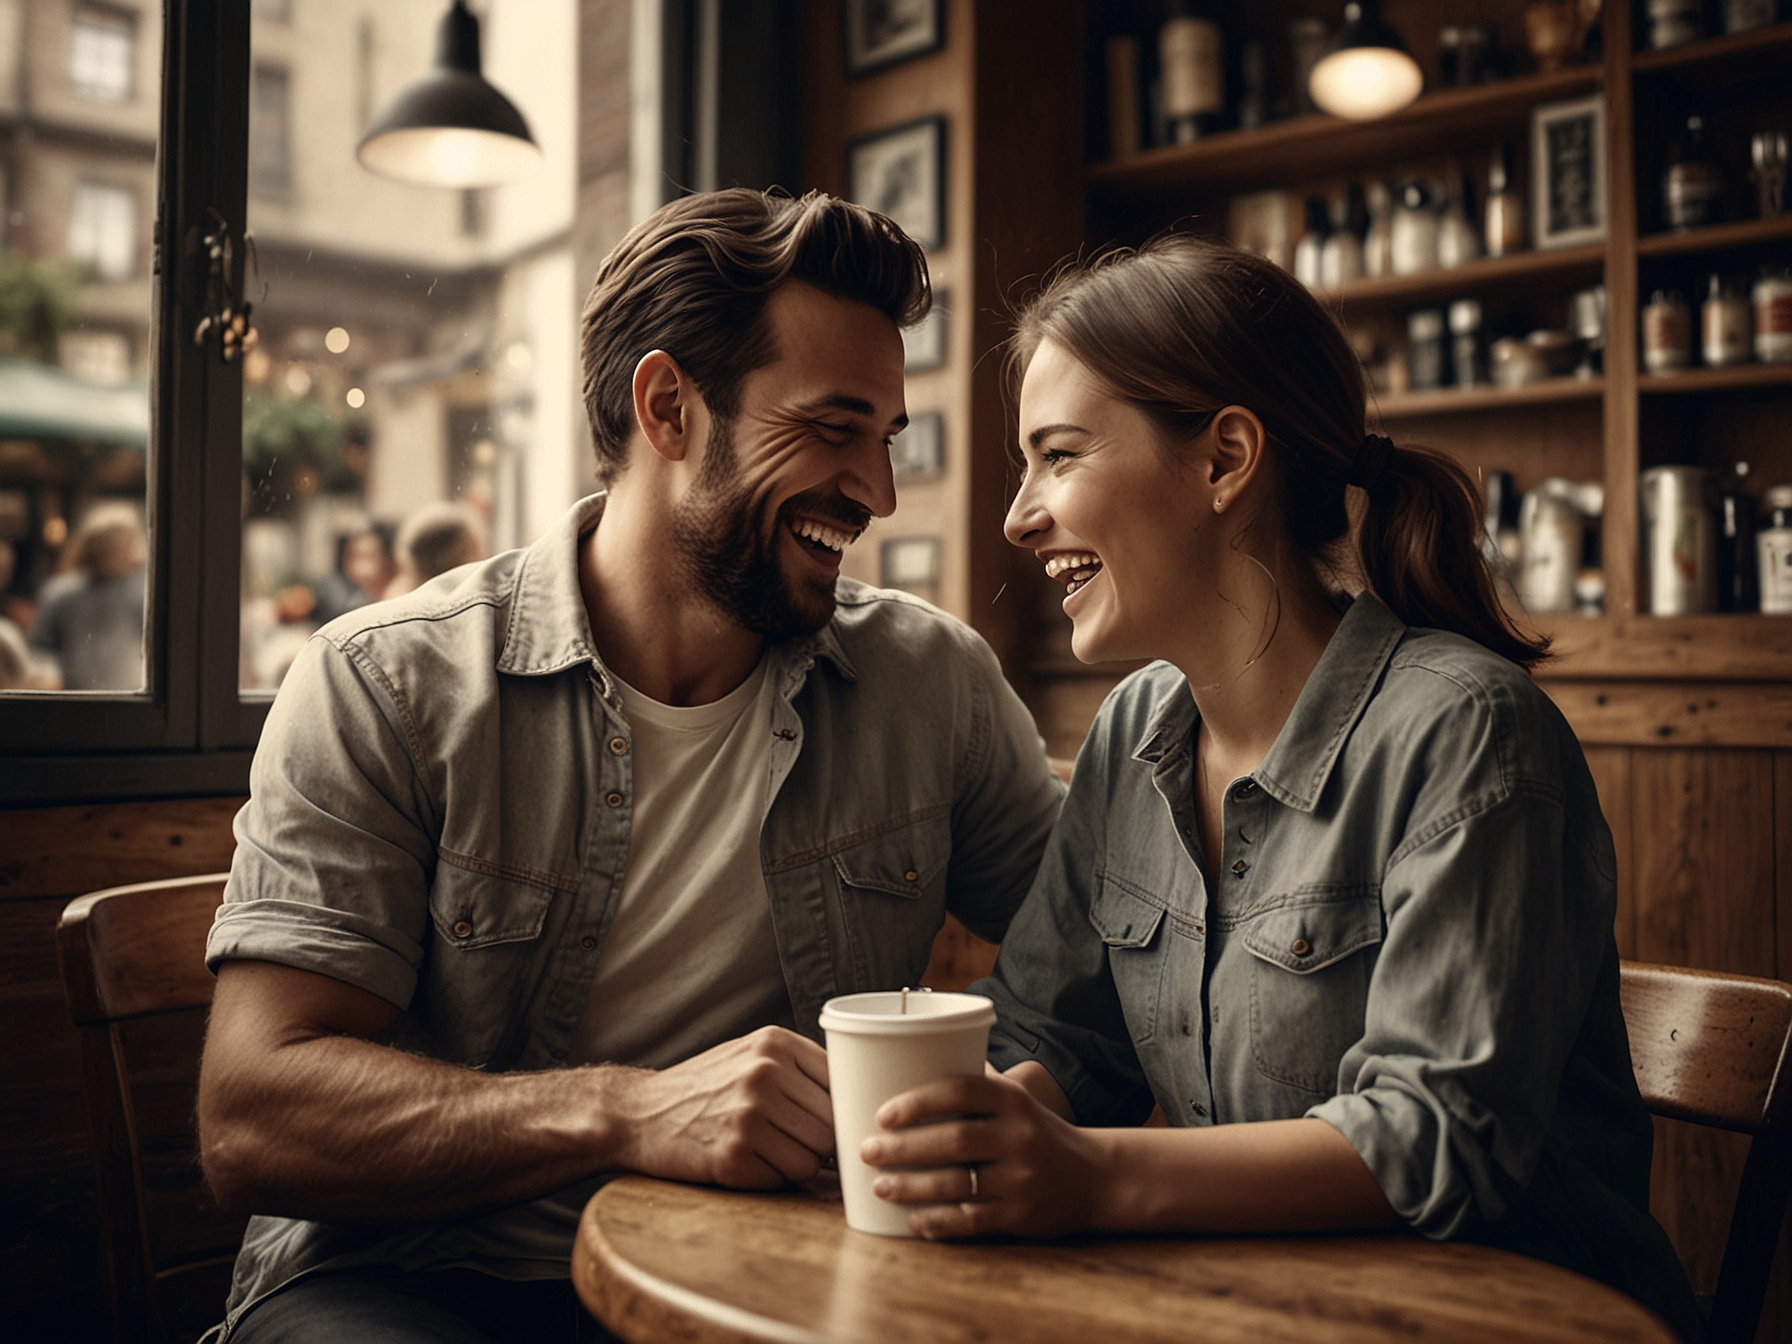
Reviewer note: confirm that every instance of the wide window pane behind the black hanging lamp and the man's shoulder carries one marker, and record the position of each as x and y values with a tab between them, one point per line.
411	397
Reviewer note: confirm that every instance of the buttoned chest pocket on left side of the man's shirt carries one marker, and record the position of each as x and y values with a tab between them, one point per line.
483	958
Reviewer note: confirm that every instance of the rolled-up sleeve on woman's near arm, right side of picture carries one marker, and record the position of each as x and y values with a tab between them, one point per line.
1497	926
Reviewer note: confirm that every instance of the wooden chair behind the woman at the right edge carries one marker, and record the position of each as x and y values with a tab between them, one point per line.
1712	1049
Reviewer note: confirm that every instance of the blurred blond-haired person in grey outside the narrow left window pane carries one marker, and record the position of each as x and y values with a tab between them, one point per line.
90	614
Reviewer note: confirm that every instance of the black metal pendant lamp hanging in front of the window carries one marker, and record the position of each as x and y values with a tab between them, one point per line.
451	128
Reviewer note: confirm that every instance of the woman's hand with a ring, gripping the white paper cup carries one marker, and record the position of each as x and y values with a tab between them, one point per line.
1037	1173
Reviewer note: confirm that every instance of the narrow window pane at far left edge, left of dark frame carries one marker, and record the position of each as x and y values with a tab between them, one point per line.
74	345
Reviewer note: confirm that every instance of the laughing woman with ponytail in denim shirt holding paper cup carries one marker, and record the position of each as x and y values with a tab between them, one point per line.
1332	884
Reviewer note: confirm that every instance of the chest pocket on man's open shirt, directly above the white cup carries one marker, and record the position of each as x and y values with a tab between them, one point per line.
892	895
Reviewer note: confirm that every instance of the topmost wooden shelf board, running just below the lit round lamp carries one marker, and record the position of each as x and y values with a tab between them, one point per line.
1322	146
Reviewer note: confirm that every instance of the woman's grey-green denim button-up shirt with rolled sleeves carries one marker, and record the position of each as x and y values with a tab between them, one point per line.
1408	933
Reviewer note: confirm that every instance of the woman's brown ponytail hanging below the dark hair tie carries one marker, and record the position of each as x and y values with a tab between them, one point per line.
1420	549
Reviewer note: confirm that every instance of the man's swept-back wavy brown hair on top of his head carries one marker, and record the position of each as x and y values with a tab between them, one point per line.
694	280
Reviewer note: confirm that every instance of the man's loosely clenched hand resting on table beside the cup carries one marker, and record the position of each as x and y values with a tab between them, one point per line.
750	1114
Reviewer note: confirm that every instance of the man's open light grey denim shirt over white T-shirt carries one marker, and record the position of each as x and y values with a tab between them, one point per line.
442	804
